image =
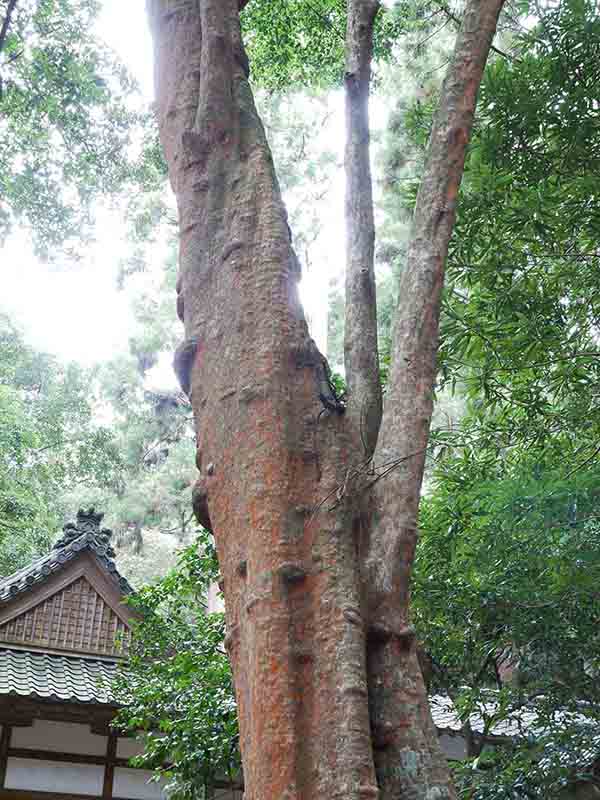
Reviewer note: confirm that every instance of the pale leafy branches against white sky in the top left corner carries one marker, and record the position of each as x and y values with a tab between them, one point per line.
66	120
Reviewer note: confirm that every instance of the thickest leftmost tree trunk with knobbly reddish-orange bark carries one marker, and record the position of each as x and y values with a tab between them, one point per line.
268	450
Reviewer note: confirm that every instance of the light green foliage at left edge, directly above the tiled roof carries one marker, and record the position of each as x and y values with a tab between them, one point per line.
48	442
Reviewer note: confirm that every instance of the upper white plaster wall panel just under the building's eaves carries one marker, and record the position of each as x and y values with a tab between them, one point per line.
59	737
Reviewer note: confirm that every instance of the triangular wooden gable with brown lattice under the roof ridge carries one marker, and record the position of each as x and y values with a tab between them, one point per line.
80	616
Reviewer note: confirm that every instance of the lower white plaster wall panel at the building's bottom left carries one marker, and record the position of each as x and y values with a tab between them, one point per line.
44	776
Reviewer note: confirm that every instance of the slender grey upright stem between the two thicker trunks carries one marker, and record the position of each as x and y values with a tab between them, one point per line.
360	337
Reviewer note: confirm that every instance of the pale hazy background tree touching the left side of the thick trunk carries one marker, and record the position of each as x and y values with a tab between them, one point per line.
151	426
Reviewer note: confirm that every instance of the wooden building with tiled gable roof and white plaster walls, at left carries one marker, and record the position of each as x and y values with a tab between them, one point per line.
63	630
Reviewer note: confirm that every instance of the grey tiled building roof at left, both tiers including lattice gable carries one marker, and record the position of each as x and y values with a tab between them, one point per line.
63	624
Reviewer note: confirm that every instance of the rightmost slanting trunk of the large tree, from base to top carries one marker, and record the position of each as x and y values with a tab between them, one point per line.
405	428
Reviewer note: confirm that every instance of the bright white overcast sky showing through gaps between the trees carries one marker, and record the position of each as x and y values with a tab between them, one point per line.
77	312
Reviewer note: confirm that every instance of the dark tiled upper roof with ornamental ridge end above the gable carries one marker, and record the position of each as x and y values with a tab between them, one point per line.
85	535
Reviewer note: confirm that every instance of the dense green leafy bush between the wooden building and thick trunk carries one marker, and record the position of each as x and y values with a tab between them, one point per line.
177	685
